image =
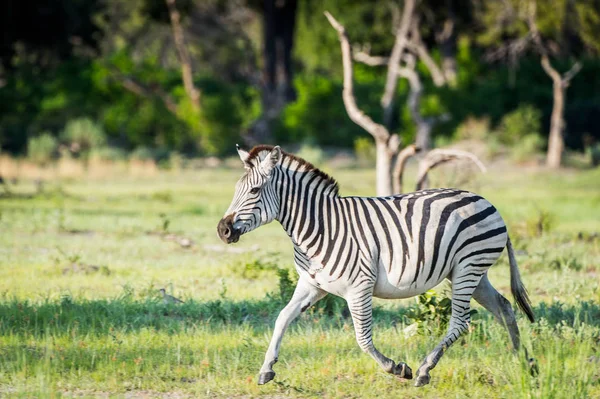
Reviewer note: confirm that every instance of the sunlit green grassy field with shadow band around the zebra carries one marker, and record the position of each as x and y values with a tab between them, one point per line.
80	314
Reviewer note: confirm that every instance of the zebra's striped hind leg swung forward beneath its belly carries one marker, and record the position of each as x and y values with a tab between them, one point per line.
462	291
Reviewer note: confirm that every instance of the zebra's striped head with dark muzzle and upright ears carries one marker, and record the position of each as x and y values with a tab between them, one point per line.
255	201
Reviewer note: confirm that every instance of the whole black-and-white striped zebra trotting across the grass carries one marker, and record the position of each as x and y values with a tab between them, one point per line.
363	247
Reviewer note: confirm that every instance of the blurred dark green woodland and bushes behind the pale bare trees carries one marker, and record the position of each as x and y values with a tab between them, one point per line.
158	80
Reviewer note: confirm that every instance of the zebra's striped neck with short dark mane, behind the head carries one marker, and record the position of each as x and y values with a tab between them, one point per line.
308	198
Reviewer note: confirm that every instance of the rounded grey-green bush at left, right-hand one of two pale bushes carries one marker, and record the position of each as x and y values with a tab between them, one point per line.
83	135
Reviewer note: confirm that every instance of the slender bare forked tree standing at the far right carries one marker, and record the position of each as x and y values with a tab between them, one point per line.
560	84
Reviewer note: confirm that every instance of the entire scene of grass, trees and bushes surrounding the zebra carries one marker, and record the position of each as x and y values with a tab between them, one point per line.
118	125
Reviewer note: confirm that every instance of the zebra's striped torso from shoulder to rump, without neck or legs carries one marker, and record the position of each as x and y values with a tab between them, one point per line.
414	241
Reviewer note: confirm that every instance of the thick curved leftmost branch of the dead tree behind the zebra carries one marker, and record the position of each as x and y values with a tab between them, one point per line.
379	132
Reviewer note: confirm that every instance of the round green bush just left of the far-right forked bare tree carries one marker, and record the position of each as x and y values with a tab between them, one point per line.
522	122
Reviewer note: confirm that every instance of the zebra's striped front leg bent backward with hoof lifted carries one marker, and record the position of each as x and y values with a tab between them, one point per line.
360	306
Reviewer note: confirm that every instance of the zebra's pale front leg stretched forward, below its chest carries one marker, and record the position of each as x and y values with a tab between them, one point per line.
305	295
